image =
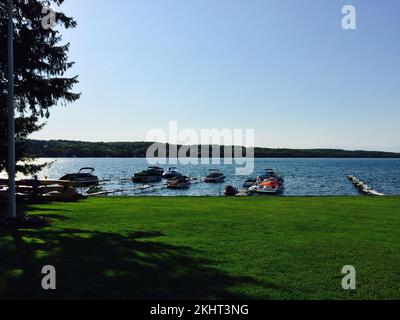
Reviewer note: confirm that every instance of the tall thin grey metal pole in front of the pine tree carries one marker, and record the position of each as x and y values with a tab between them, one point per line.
11	123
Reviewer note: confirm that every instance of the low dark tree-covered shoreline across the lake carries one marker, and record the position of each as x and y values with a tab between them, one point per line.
82	149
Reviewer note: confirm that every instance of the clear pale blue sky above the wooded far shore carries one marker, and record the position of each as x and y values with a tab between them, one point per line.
284	68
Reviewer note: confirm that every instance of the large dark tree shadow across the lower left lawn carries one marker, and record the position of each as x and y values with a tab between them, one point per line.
100	265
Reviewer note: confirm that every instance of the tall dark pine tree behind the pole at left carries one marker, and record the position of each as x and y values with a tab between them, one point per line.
40	63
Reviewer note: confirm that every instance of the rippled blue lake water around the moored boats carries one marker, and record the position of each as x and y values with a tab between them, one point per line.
302	176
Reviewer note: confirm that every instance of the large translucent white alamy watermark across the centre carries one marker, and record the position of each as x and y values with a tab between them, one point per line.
238	146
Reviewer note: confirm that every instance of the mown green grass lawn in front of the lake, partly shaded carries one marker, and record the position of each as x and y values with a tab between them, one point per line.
198	248
